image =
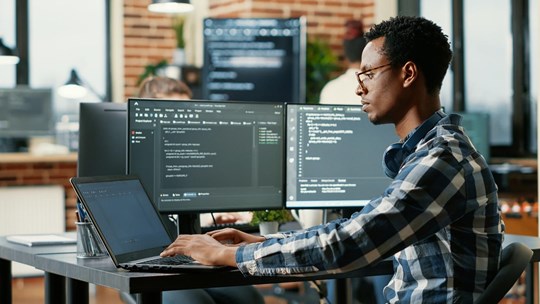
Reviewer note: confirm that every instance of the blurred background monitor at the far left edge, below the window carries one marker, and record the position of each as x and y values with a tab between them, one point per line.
26	112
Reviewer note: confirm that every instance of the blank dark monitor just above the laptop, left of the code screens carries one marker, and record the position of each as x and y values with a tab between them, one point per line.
102	139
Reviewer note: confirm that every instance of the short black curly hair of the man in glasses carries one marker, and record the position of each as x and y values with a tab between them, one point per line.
418	40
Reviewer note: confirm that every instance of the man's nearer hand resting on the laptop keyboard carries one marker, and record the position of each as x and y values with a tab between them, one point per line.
203	248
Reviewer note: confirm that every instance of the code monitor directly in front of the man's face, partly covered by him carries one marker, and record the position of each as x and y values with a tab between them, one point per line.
334	156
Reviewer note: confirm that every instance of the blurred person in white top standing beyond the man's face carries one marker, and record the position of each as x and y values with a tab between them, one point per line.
338	90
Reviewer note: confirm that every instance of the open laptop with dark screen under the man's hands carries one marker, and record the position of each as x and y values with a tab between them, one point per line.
129	224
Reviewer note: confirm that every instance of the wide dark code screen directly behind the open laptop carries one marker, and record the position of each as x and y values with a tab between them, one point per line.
204	156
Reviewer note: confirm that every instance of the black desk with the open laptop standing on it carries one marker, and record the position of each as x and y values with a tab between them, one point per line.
62	268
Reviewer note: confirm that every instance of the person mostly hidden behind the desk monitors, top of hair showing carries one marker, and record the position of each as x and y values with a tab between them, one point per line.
169	88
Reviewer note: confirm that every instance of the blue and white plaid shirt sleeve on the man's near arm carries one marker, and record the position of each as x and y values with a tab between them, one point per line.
427	195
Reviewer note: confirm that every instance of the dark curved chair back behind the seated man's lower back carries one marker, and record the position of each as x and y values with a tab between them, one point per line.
514	260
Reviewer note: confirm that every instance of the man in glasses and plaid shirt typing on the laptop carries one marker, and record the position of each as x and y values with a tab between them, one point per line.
439	217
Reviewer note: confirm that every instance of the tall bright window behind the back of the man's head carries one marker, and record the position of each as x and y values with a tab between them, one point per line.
499	72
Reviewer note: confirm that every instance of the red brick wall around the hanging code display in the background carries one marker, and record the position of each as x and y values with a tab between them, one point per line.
149	37
